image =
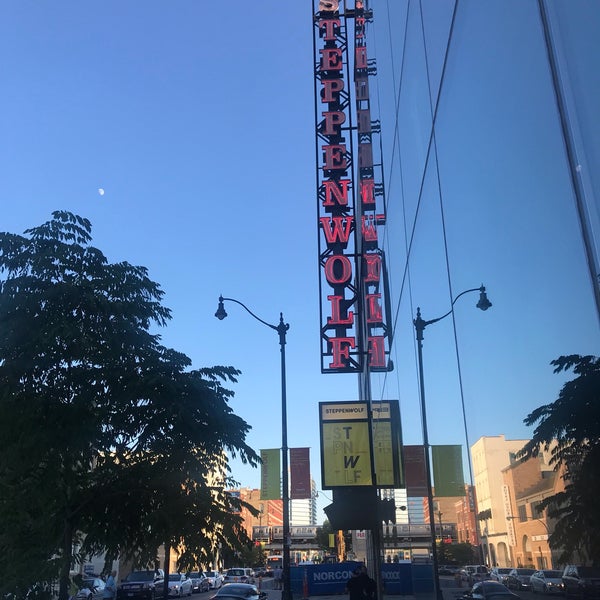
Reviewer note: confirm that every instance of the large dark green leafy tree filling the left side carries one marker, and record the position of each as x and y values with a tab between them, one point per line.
103	430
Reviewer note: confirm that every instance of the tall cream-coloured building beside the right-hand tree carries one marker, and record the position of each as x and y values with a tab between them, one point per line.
490	455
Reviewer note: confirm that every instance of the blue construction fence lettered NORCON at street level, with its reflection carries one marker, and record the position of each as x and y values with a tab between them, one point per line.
323	580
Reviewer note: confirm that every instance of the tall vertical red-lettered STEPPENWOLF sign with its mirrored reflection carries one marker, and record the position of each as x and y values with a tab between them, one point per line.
354	296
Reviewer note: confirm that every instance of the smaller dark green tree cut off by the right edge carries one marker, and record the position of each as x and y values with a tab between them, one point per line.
569	428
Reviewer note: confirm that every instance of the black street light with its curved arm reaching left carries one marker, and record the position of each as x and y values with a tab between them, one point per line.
281	329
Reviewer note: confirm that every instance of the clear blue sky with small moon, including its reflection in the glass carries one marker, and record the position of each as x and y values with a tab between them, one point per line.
196	120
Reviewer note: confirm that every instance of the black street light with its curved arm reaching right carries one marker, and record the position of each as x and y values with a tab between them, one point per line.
420	325
